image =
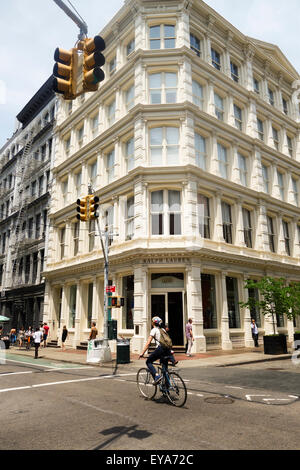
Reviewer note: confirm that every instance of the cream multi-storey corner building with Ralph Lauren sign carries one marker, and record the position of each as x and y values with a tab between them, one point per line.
192	144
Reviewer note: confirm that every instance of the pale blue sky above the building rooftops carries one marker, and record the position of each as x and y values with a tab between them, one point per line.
32	29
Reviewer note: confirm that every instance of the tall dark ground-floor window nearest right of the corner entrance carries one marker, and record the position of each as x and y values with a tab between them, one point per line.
208	288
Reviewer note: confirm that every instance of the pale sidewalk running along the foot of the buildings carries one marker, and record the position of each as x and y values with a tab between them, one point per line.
216	358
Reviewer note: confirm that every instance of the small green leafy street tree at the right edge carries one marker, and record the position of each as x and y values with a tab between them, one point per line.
276	298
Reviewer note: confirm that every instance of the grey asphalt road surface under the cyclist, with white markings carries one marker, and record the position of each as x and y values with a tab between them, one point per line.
59	406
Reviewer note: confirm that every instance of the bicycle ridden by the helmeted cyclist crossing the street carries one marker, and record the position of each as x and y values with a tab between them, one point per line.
171	385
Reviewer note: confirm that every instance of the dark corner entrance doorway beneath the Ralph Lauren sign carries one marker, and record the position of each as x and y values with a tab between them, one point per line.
169	308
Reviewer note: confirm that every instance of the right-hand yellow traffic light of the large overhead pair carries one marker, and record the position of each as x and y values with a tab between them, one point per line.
93	59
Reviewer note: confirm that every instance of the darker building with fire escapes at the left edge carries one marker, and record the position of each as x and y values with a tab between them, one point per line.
24	187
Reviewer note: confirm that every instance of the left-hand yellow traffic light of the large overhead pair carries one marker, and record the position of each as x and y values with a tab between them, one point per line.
65	73
